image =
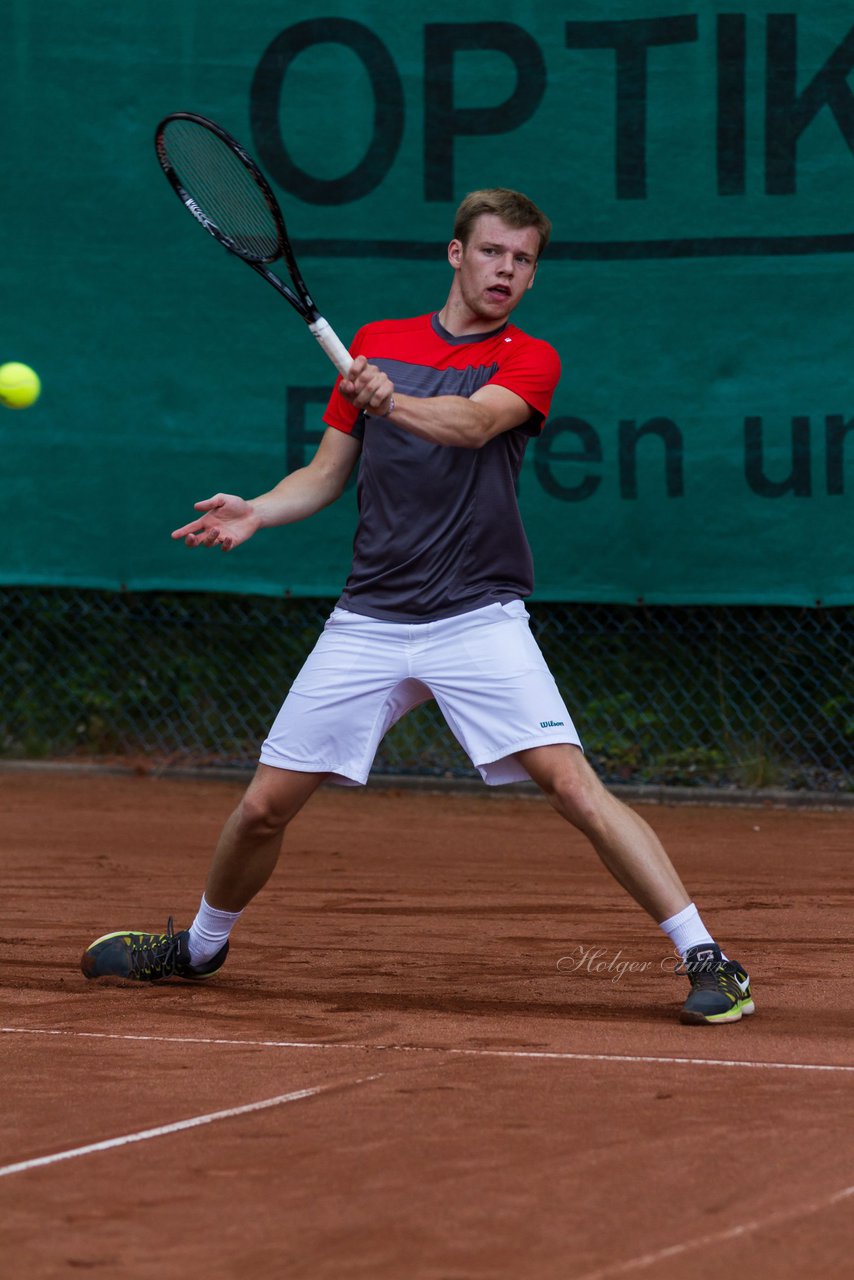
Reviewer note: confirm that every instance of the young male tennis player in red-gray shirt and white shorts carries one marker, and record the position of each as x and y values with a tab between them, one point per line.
439	410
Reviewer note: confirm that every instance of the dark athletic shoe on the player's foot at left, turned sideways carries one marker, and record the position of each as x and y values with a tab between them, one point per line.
147	957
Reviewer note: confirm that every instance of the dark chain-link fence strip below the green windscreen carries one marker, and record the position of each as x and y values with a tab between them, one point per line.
716	697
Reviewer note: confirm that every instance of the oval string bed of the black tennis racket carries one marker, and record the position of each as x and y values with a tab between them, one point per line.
223	189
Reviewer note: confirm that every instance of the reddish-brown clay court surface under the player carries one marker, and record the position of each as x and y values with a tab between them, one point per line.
424	1058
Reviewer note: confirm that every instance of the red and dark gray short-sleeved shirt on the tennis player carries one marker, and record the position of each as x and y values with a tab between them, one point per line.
440	531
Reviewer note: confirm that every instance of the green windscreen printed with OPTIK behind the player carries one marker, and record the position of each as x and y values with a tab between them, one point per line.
698	171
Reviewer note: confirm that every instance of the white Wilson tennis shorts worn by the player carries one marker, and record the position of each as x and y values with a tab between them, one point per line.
485	670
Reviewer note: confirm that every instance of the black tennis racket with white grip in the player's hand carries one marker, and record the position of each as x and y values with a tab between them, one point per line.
229	195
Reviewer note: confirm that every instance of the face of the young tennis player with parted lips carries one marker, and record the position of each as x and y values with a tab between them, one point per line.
495	268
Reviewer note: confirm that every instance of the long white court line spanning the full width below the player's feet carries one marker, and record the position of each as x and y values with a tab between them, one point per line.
437	1049
